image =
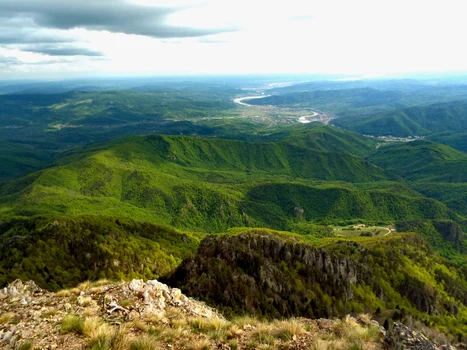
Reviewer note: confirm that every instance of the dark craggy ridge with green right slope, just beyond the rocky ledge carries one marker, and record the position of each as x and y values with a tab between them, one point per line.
278	275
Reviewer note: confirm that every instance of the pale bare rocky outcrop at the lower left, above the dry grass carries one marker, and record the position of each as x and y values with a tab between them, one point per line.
28	313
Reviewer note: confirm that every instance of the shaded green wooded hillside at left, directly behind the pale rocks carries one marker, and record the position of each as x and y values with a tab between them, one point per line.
58	252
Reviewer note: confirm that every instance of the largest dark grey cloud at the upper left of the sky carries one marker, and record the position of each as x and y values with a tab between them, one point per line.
110	15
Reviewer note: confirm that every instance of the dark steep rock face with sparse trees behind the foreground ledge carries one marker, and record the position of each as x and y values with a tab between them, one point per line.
262	274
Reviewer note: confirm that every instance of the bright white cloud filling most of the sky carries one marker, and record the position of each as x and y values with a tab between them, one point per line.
356	37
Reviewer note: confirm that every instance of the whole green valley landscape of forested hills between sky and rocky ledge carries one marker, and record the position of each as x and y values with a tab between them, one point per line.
256	206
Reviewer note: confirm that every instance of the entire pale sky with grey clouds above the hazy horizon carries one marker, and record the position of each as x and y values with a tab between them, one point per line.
57	39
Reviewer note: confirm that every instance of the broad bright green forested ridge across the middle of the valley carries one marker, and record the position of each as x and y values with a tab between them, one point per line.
212	184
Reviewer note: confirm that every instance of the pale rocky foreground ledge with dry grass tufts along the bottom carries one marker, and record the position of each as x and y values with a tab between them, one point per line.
141	315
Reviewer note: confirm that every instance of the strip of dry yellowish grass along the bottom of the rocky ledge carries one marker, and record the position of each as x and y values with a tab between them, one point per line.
198	333
